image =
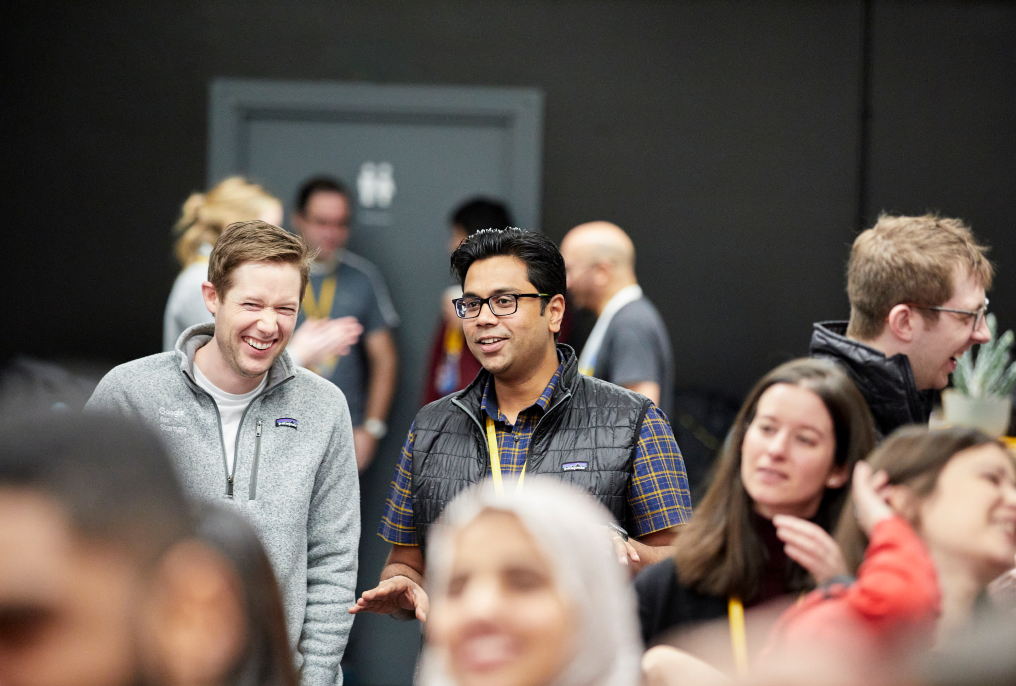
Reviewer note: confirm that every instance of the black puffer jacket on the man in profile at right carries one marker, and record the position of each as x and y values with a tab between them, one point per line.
887	384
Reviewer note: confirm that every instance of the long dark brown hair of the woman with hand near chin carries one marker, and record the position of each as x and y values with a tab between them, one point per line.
720	552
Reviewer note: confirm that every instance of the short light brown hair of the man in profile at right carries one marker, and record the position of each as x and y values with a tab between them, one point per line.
909	260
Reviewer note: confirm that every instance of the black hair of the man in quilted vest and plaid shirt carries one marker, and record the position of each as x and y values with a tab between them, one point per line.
544	265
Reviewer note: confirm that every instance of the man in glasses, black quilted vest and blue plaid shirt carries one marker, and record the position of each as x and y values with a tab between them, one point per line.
528	412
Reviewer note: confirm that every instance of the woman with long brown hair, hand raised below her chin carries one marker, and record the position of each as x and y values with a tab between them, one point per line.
761	531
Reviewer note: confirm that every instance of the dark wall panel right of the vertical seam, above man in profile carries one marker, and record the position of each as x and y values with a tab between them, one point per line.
943	134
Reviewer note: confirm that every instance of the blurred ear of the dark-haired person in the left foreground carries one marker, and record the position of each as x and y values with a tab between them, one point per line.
198	618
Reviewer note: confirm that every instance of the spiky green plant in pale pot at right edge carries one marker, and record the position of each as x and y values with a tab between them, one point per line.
982	394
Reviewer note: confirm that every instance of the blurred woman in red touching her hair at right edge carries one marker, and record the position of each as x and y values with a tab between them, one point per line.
932	523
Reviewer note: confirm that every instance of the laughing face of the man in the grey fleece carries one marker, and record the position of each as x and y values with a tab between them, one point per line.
256	320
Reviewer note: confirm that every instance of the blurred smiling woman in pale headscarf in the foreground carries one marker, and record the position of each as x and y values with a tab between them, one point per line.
527	592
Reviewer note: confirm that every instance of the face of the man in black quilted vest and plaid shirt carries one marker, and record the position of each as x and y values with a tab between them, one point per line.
515	346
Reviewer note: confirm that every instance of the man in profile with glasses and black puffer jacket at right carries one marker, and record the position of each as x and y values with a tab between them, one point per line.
917	289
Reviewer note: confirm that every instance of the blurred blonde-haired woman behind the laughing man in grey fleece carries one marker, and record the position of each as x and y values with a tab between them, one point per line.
204	218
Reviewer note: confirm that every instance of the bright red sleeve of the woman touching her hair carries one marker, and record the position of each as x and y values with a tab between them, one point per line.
897	591
